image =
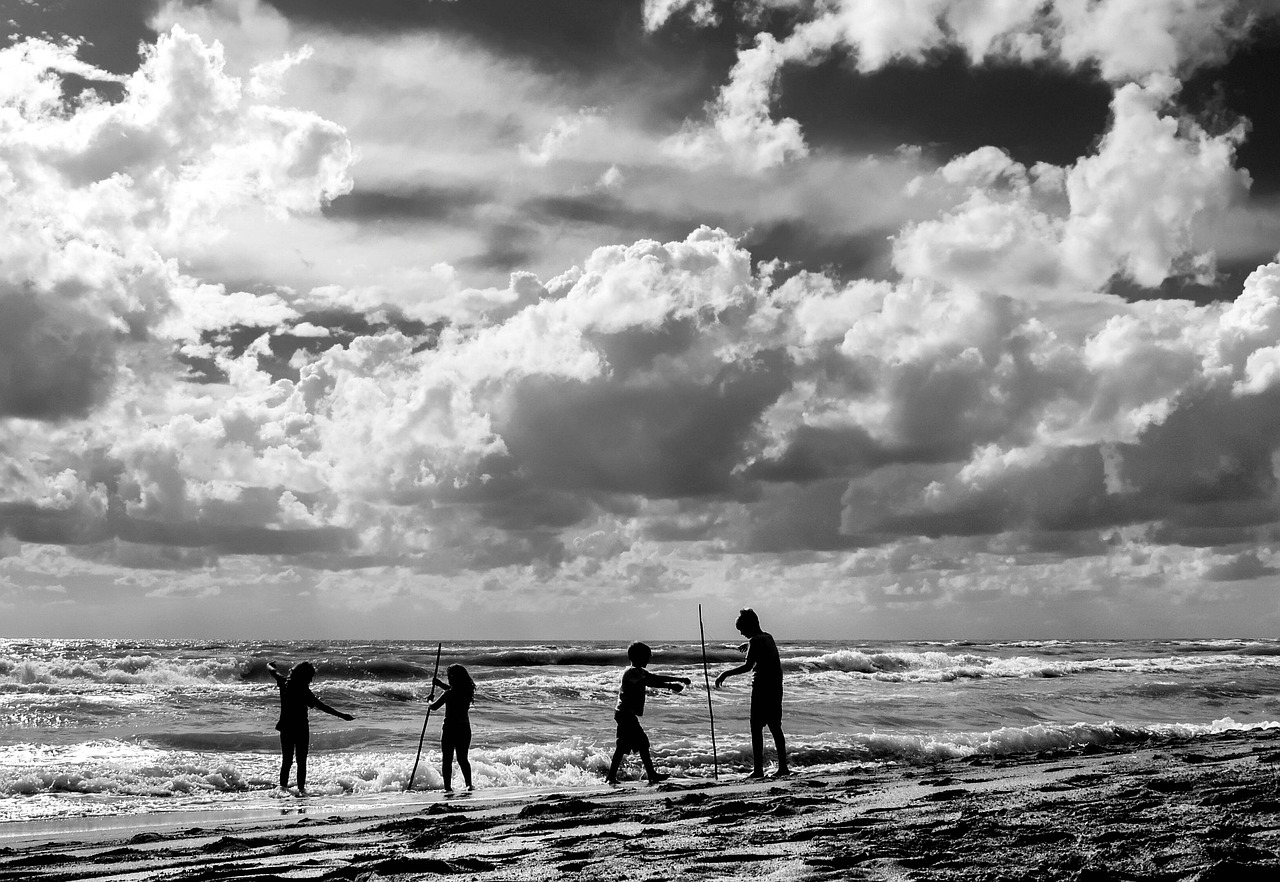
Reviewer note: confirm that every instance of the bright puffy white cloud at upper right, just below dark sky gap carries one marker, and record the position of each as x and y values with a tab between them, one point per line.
1131	209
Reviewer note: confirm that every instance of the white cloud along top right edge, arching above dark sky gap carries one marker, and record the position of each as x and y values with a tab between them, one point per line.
1126	40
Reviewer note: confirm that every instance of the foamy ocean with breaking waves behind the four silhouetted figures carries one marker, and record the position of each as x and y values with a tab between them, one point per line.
117	728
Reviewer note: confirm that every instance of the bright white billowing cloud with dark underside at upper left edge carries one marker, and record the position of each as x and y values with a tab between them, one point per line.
99	193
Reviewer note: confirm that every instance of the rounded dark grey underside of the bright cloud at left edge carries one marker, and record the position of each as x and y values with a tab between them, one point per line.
56	362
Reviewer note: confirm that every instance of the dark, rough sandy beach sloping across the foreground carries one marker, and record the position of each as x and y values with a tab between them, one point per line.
1192	810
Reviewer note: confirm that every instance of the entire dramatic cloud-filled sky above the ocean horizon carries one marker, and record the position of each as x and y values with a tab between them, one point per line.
546	319
